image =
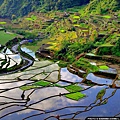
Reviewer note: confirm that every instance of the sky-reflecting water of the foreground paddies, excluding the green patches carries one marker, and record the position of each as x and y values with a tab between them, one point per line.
49	102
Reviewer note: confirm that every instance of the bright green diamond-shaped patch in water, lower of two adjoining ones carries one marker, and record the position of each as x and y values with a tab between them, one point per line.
75	96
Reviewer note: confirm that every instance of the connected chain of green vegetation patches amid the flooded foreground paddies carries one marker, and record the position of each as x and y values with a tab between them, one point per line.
74	90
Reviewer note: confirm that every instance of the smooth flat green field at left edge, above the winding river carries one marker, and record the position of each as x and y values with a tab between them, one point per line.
5	37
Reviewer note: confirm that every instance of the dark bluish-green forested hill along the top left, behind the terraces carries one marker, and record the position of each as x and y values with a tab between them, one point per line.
23	7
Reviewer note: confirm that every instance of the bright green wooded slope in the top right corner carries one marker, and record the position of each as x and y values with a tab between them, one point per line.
101	7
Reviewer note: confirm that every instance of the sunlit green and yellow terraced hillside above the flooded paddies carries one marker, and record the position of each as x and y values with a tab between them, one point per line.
82	29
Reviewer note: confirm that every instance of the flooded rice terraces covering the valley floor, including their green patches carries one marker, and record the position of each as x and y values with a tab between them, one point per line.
47	91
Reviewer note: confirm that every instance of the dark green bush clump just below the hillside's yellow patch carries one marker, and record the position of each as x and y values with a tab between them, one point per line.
69	51
